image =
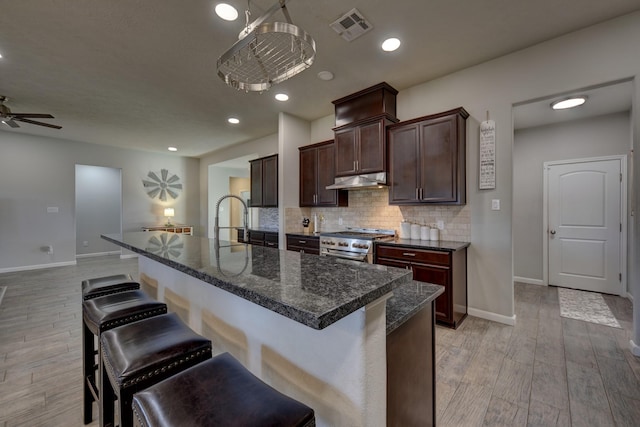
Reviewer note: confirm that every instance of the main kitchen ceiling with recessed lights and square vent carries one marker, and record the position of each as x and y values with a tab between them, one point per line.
142	73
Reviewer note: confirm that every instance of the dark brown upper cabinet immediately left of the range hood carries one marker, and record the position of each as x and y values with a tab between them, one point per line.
317	170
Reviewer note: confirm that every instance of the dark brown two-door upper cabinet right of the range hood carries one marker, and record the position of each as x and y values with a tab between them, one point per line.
427	159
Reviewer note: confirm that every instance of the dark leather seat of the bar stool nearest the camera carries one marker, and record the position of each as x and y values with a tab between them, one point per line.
218	392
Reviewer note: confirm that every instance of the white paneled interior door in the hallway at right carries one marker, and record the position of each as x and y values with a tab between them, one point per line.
585	225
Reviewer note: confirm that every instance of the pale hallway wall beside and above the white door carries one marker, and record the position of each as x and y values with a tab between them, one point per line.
595	137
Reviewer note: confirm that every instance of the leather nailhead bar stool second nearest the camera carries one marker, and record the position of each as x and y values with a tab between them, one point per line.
140	354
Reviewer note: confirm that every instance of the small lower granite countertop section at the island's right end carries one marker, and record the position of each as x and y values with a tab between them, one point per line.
409	299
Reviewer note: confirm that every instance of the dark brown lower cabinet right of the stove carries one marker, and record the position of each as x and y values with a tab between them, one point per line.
448	269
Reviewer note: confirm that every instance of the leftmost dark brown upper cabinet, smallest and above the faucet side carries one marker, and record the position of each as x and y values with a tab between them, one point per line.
264	182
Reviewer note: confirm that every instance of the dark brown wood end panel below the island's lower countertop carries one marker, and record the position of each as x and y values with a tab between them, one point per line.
411	379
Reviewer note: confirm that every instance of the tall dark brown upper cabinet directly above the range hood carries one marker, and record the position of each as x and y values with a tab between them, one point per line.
360	132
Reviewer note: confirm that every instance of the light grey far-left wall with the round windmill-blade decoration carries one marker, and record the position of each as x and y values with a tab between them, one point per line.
37	172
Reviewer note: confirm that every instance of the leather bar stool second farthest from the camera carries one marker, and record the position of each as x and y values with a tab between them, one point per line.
103	313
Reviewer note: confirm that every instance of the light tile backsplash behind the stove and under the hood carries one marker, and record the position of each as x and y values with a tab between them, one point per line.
371	209
